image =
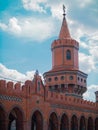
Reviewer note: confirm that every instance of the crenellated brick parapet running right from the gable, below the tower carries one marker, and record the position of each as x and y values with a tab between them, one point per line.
61	98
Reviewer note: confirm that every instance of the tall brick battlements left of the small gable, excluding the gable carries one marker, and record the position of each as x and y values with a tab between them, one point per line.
16	89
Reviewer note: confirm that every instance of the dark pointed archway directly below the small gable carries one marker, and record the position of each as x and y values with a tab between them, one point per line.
37	120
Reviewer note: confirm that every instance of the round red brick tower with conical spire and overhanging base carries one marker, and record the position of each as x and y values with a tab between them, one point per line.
65	76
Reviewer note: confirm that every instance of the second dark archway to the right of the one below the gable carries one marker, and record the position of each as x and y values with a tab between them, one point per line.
64	123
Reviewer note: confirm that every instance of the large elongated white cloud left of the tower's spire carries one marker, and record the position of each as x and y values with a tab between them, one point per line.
30	28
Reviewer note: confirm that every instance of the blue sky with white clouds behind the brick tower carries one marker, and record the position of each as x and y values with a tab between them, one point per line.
28	27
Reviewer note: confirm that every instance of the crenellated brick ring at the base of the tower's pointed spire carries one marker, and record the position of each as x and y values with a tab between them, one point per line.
65	42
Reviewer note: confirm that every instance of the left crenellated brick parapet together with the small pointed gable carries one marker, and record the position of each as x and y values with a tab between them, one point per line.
22	90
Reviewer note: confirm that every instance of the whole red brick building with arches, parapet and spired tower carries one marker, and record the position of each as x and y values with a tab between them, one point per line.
56	104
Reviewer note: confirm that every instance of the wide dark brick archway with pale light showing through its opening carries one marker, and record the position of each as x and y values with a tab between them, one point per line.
16	118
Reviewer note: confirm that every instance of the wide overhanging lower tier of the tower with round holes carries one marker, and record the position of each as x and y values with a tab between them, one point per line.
68	82
